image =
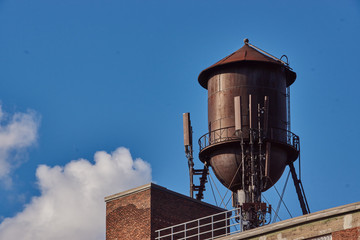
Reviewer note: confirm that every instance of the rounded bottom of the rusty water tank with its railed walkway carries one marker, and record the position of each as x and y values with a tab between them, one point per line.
224	145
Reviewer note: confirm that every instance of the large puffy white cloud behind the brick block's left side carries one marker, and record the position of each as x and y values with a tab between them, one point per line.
71	204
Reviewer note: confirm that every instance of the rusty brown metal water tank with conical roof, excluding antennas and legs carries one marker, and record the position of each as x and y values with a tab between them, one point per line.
247	72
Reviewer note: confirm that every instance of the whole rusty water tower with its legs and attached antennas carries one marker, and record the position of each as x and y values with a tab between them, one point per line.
249	142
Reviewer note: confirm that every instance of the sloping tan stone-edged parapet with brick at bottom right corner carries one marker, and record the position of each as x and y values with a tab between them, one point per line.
330	222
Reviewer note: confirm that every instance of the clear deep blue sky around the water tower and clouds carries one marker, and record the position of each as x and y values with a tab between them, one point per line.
98	75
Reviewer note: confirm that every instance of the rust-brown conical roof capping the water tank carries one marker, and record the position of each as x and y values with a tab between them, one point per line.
245	54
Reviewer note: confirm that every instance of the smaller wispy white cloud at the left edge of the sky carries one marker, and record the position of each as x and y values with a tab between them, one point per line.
17	132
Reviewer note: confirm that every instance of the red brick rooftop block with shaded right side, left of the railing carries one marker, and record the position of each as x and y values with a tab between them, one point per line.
138	214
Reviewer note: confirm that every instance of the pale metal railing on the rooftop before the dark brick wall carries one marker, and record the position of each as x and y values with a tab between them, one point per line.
209	227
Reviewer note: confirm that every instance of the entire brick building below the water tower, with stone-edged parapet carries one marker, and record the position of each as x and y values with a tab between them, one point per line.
137	213
